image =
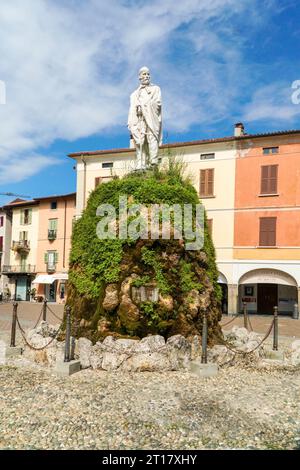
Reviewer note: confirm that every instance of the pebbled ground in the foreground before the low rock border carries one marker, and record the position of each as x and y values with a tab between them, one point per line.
239	408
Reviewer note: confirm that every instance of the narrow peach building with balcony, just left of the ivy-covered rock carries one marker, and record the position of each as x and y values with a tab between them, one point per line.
56	215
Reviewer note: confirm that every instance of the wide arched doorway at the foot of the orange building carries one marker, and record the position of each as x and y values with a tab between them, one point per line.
262	289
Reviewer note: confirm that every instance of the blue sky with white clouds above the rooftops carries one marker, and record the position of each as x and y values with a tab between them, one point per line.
67	69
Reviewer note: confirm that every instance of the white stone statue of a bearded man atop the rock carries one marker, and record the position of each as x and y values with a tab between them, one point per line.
144	120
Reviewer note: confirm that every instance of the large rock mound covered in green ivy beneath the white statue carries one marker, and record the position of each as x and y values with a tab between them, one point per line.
135	287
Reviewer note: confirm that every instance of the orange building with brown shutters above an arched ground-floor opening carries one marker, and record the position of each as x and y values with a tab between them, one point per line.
266	253
